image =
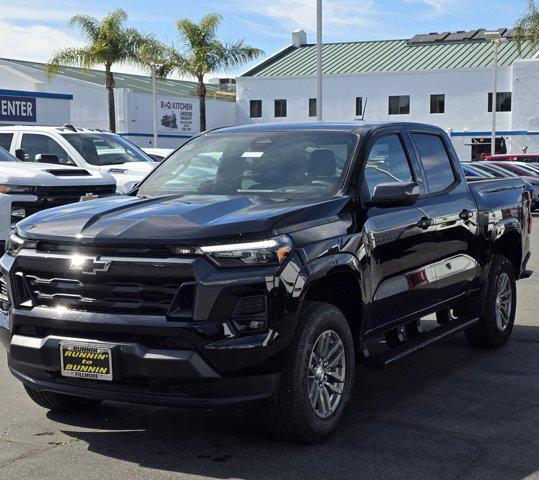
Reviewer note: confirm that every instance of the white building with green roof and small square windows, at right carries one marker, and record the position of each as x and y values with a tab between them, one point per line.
442	79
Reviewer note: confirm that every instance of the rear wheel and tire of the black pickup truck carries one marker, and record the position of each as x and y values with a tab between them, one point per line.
496	324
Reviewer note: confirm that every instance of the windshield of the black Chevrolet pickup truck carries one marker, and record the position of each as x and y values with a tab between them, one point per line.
258	163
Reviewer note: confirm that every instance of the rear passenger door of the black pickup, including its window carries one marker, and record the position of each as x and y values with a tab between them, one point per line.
455	219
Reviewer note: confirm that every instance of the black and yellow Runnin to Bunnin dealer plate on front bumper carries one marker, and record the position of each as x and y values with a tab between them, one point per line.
86	360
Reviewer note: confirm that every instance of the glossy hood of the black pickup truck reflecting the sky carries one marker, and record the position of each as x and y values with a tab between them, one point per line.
178	219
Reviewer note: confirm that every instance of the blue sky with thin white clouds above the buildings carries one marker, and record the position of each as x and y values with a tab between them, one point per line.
34	29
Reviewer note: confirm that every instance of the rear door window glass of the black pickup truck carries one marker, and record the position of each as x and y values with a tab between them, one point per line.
435	159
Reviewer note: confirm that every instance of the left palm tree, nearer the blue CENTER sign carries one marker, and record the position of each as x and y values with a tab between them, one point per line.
109	43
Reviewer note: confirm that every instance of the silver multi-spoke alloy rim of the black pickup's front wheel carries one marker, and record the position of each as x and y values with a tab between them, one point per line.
327	370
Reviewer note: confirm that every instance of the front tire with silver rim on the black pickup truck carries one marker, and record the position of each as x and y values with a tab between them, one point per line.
316	383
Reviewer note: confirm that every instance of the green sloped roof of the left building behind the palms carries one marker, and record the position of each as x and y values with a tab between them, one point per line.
137	83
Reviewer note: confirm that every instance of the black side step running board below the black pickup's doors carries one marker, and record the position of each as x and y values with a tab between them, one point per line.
426	339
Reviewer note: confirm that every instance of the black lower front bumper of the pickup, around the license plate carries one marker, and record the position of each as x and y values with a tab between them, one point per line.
142	375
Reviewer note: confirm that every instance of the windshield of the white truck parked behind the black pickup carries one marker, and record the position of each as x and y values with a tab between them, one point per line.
105	149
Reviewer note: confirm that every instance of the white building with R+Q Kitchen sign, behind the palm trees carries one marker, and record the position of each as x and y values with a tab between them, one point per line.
79	97
